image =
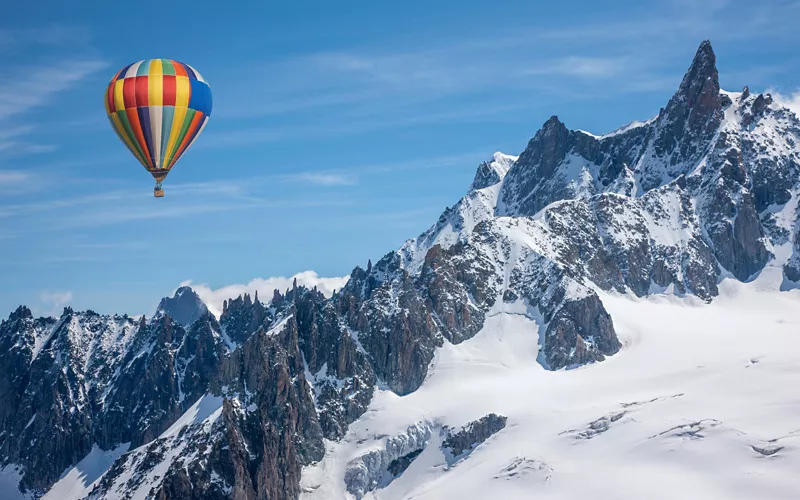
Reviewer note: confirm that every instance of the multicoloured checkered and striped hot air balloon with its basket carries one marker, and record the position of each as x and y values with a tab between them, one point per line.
158	107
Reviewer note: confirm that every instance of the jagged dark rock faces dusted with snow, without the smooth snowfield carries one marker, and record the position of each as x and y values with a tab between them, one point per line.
201	407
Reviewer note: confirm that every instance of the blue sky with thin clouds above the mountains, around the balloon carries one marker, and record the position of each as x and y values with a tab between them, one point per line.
339	129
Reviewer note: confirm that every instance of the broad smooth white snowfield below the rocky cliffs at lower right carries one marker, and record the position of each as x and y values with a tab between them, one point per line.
701	403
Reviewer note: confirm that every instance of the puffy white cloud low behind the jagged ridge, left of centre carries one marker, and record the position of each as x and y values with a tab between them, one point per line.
265	287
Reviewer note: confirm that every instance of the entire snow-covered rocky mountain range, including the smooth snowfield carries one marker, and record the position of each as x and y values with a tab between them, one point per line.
481	359
